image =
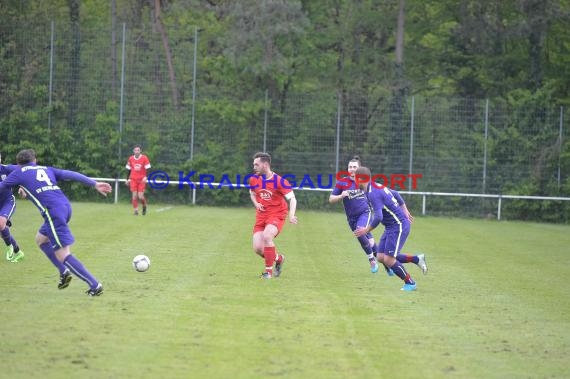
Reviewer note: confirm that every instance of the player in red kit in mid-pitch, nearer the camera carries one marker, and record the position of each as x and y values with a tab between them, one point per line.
269	194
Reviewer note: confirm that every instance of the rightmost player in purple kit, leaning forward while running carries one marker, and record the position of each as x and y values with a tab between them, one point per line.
387	211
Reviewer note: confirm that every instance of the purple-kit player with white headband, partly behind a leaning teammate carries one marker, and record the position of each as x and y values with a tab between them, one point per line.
357	209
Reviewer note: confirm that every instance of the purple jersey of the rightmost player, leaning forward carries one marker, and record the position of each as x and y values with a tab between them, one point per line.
386	207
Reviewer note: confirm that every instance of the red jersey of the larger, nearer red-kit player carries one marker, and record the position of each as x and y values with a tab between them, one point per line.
271	193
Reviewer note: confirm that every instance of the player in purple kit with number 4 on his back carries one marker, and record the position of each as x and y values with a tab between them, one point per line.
54	237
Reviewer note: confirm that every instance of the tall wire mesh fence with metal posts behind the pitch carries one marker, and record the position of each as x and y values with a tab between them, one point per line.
109	91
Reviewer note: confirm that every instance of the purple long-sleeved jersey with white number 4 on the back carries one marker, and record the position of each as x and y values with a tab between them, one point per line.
40	184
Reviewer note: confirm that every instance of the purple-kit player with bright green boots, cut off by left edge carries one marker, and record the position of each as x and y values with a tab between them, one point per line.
7	208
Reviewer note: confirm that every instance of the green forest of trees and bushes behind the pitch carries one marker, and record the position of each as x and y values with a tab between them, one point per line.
473	94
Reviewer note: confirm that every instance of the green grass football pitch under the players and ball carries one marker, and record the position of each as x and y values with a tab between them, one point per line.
495	304
